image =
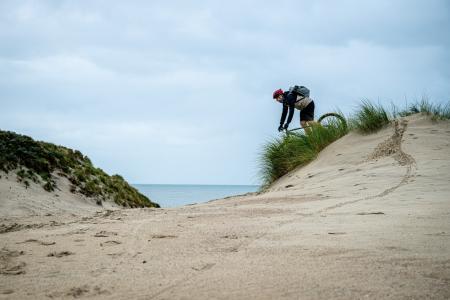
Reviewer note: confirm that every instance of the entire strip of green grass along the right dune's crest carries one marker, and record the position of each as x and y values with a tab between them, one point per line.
290	151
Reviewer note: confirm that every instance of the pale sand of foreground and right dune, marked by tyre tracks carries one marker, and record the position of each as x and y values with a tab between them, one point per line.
368	219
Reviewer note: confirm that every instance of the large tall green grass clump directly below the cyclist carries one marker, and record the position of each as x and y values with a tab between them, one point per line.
290	151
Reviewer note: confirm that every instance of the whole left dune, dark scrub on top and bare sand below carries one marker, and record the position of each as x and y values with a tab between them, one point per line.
38	178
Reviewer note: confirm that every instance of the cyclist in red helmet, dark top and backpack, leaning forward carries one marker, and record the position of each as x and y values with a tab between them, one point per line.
295	98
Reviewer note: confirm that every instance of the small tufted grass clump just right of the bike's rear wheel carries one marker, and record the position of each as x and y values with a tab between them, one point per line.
370	117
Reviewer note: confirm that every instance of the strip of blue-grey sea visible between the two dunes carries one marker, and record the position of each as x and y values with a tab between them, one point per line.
173	195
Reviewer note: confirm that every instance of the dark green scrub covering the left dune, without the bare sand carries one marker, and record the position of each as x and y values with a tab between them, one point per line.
38	162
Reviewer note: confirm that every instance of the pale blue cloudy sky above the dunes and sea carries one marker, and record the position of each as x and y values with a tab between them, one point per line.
181	91
